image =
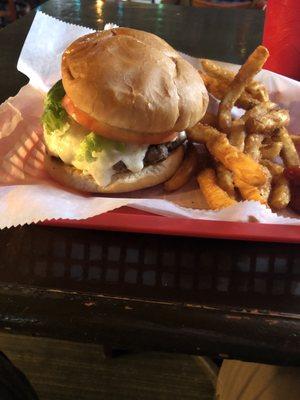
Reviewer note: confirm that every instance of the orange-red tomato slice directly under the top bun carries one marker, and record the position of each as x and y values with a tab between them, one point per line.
118	134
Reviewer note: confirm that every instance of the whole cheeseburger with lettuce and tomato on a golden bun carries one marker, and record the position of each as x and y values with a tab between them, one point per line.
115	122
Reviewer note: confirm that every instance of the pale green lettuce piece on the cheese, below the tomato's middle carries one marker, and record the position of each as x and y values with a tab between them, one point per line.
95	144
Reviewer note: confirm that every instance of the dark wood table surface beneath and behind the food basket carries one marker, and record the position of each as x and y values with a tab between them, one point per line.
145	292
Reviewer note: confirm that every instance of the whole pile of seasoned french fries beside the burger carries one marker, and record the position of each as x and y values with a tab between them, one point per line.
246	157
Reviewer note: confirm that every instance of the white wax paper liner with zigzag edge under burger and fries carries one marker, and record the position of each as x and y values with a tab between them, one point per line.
28	195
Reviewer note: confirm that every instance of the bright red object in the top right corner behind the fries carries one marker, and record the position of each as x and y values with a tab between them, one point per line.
282	37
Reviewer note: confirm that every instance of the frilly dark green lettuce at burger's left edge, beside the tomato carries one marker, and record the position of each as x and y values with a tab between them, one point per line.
54	116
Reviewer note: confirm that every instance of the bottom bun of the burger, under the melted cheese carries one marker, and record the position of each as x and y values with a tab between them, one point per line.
151	175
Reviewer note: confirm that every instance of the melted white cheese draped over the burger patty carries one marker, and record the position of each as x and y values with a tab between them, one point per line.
65	145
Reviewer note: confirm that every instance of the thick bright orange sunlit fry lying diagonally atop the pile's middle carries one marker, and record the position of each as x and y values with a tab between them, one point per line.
243	166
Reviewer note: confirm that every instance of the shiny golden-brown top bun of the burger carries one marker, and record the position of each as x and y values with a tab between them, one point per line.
133	80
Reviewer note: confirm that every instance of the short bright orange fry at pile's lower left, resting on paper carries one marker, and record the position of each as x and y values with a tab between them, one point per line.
215	197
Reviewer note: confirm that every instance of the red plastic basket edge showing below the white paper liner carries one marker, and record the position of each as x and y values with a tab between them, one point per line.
131	220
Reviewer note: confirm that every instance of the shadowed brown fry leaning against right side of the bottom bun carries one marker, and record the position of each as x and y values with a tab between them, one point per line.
186	171
